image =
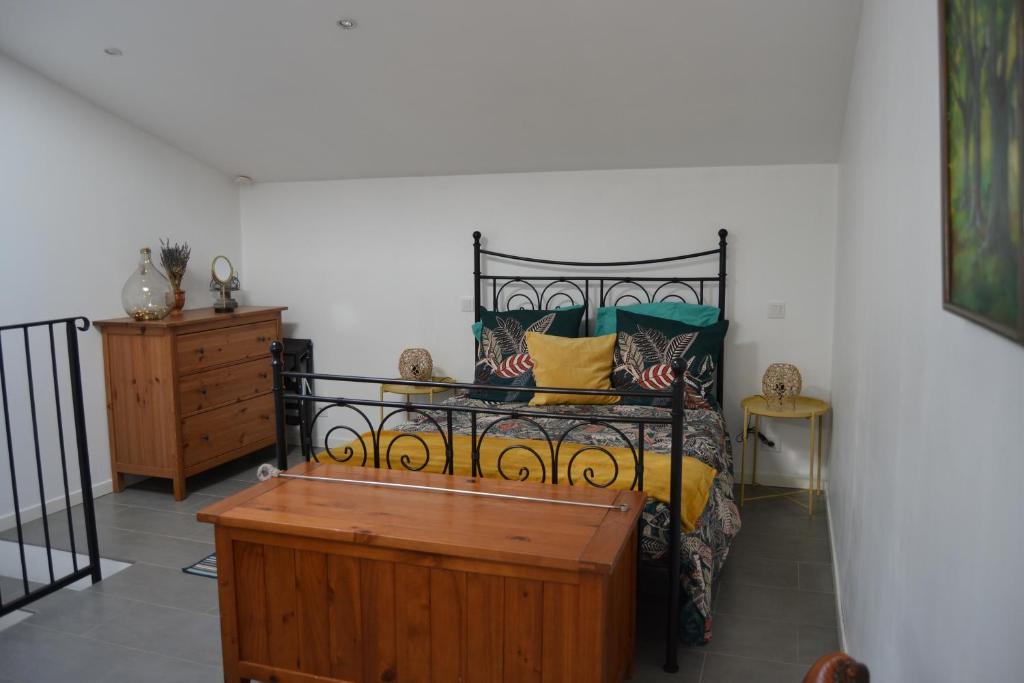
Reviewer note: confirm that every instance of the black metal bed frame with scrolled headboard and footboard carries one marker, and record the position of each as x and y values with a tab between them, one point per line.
527	292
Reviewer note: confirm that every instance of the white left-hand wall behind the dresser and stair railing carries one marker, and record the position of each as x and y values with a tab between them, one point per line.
81	192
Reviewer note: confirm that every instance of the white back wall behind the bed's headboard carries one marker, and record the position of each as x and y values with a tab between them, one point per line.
372	267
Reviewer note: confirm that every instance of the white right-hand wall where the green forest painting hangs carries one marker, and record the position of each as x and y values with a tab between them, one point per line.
926	488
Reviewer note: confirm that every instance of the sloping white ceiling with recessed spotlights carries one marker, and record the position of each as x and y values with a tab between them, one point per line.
274	90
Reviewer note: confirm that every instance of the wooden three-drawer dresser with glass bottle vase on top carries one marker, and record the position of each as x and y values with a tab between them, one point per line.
189	393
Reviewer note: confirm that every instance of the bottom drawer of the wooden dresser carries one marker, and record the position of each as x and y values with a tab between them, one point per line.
212	434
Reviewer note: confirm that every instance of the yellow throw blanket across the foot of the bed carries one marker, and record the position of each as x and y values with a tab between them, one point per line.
698	478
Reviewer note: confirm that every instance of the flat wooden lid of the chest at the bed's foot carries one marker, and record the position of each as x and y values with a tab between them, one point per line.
537	534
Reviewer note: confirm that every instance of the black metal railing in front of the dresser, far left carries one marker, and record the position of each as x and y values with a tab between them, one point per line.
19	394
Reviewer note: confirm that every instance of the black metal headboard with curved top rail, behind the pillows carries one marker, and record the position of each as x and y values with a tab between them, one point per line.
552	290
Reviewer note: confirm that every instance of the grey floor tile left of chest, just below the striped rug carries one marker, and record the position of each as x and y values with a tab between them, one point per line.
162	586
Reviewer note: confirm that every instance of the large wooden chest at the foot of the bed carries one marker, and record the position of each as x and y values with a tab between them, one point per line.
345	582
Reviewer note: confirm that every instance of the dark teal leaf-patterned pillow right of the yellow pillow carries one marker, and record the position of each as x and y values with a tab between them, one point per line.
649	347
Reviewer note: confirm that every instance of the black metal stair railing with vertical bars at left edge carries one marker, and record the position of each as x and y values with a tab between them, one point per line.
72	326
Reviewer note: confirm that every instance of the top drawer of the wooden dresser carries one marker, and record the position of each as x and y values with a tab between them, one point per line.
216	348
